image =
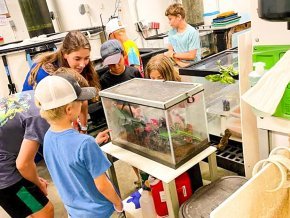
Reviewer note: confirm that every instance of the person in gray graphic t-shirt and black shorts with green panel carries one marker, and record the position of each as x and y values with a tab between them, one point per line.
21	132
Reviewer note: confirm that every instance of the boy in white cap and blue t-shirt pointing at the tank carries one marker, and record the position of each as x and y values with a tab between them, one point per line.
75	162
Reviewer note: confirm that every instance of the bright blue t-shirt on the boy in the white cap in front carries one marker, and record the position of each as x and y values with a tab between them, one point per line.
73	161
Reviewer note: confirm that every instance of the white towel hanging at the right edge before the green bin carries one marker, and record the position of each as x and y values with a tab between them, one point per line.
267	93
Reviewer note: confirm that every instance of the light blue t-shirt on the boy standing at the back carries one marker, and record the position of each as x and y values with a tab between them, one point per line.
185	41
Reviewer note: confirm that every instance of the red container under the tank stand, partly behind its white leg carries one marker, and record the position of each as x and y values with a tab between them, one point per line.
183	187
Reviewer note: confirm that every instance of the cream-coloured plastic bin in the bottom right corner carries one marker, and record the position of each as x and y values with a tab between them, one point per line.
253	201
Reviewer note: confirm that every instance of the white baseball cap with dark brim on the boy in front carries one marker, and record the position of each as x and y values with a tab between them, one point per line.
56	91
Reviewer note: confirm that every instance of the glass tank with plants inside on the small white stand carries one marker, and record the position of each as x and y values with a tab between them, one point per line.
161	120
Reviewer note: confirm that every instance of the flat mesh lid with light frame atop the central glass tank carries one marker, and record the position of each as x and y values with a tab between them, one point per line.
153	93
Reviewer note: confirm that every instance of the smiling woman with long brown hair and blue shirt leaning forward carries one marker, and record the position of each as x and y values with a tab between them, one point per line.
74	53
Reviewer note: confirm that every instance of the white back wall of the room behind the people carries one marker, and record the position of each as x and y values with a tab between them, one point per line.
70	18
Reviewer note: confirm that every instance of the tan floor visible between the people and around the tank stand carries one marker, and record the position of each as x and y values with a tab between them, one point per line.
126	178
